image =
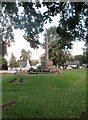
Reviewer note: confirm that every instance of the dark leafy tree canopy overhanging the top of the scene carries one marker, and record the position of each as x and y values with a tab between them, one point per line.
72	24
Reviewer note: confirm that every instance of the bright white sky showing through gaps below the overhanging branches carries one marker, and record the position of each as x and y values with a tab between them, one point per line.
20	44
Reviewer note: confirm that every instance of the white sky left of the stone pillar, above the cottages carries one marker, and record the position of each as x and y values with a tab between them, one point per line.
20	43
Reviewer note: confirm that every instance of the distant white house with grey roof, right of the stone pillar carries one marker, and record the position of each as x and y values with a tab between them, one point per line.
71	64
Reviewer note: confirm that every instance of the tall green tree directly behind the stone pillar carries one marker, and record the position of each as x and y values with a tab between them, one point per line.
58	52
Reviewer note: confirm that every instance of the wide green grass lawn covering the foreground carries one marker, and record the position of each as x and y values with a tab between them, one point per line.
45	95
